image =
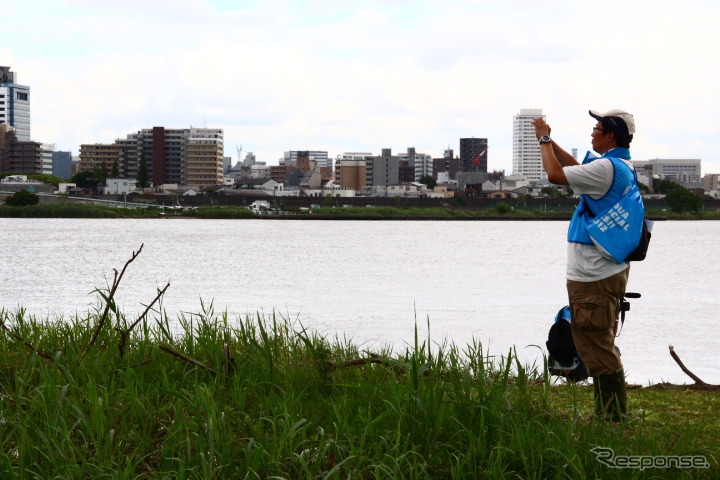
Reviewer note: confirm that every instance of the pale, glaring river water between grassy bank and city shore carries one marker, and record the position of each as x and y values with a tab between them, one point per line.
371	282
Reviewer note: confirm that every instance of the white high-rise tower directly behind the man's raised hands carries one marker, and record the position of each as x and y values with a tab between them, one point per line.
526	149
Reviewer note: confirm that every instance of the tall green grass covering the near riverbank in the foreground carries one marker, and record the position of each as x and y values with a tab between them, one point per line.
205	396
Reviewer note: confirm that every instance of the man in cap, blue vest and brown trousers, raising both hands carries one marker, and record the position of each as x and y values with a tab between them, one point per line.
595	281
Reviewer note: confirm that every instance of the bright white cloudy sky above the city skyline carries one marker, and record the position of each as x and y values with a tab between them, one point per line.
342	75
